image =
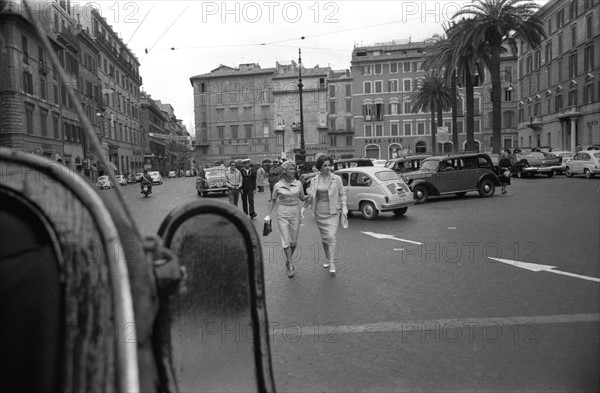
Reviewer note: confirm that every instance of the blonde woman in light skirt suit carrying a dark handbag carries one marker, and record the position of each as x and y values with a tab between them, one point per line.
288	195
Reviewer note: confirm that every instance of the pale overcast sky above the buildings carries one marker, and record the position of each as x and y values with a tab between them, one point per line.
205	34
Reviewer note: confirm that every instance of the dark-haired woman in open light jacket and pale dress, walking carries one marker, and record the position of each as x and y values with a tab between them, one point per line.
327	195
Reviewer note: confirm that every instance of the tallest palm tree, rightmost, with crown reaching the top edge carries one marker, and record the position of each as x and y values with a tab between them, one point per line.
492	22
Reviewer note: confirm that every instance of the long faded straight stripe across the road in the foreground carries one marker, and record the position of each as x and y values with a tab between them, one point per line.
434	324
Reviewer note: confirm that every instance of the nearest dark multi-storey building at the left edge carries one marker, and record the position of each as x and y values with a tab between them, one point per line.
37	113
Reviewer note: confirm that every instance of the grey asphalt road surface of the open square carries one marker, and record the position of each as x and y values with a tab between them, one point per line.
426	308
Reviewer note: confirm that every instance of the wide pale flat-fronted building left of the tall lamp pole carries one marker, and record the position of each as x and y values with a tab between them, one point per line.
233	110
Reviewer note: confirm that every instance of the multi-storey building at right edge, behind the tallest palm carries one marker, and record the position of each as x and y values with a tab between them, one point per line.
559	83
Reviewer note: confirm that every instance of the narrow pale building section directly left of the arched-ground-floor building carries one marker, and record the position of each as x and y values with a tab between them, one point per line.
340	131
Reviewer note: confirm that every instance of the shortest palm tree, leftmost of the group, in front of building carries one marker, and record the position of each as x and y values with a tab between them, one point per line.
432	96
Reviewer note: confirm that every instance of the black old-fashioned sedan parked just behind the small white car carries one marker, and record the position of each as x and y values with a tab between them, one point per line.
454	174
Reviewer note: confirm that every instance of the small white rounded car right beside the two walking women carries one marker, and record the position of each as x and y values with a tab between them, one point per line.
371	190
